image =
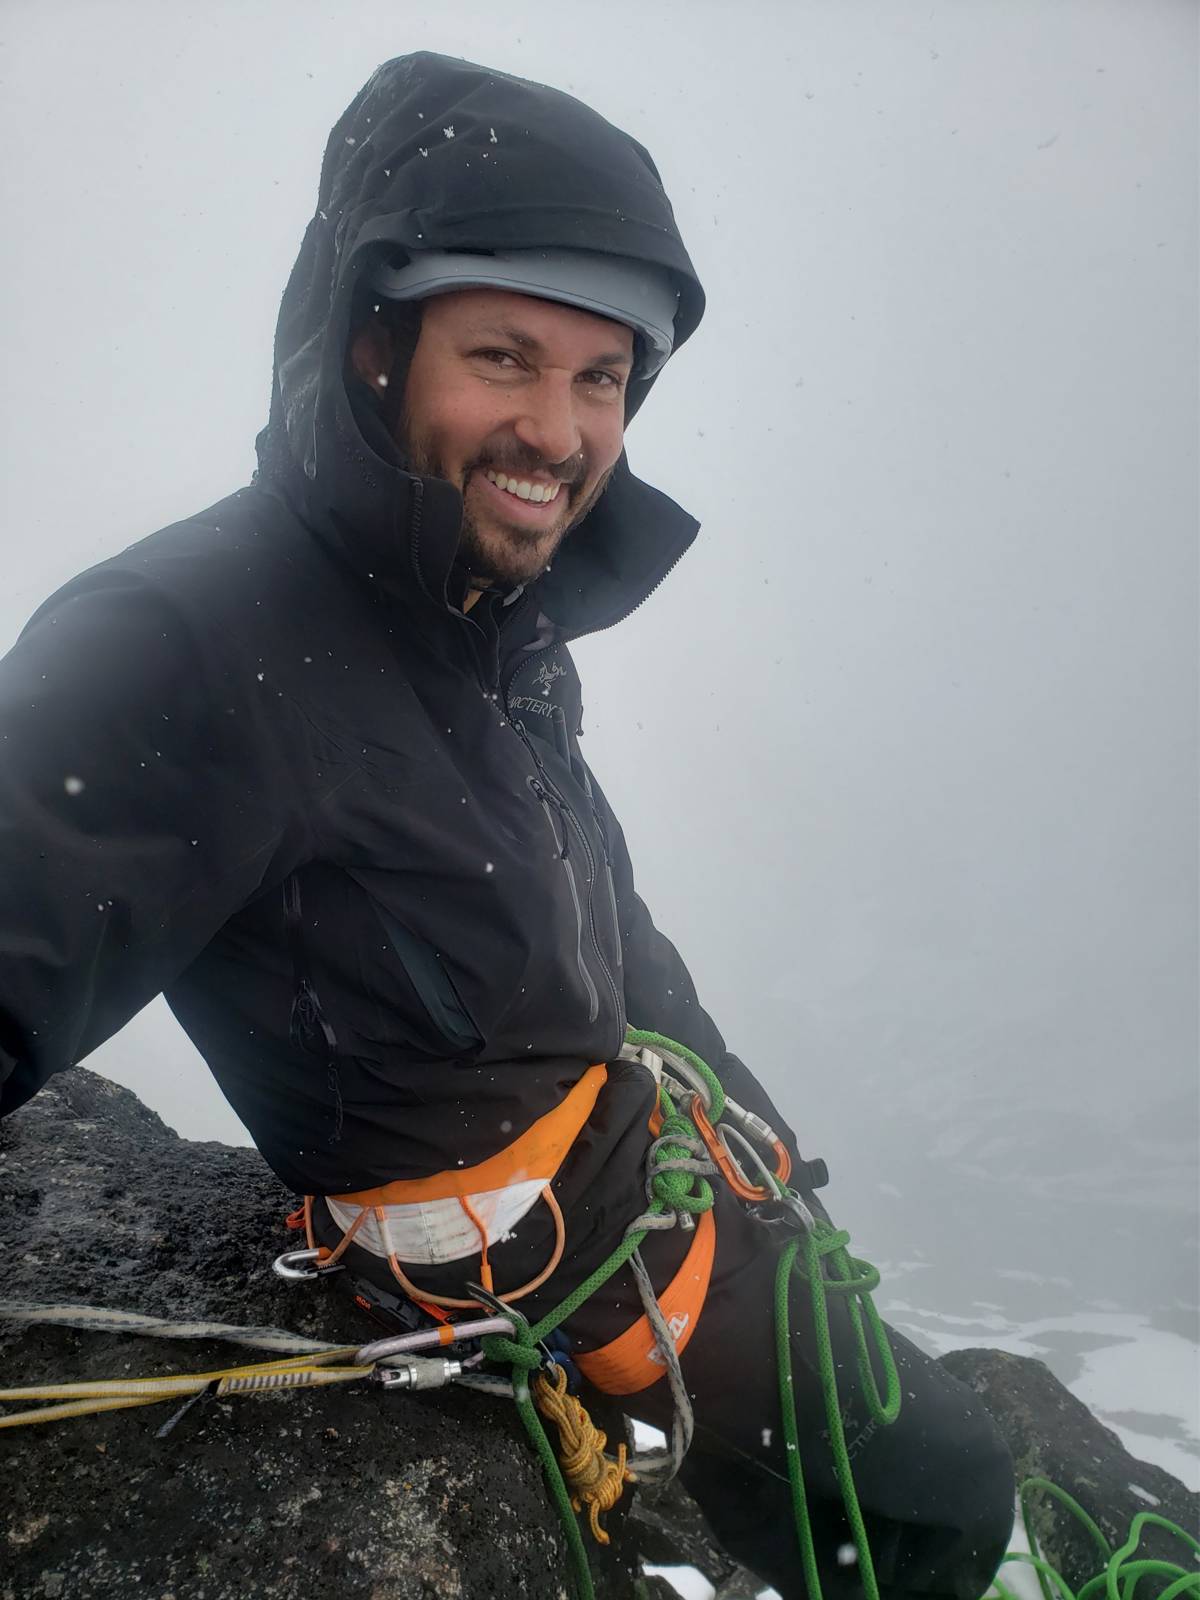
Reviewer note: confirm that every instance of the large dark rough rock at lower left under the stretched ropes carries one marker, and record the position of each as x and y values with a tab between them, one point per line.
330	1494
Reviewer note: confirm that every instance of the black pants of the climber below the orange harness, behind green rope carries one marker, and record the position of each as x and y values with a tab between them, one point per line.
935	1487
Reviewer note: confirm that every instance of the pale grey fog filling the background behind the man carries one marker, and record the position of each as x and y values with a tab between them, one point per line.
906	748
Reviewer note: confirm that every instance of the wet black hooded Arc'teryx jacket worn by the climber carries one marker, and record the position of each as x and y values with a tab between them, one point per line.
262	761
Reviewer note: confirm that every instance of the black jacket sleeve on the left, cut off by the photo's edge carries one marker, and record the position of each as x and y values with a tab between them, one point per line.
140	809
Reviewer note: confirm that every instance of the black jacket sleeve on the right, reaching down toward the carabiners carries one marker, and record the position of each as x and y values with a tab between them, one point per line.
660	993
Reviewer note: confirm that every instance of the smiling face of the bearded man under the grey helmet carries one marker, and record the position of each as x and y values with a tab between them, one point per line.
519	404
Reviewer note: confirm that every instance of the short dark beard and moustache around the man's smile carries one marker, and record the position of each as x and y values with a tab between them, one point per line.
494	551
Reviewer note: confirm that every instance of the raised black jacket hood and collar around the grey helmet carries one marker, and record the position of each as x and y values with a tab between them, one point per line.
441	154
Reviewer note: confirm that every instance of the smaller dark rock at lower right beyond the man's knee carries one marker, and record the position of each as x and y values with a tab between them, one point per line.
1054	1436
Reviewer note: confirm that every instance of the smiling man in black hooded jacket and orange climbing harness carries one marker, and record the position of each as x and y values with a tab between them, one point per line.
310	764
